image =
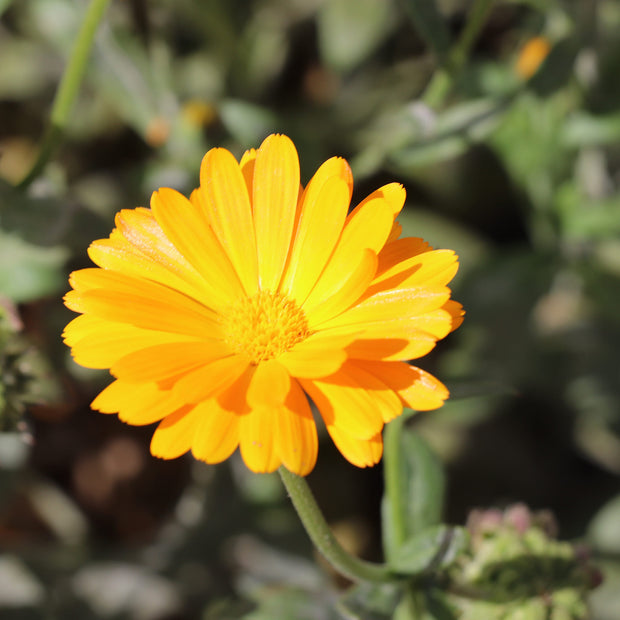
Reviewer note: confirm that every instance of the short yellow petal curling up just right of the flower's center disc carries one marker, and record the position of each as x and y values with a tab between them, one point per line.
353	284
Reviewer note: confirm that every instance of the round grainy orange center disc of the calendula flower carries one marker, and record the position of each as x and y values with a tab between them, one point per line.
265	326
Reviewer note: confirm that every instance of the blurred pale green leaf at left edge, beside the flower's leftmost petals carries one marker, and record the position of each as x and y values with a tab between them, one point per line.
29	272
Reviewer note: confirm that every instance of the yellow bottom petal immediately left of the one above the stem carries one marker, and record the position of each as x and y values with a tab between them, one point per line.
257	431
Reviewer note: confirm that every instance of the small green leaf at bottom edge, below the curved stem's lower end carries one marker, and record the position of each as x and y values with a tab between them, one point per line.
368	601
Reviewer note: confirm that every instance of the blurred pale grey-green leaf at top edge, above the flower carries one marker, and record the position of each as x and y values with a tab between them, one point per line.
350	30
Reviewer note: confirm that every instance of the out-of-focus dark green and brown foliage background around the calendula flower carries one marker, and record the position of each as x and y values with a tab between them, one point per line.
502	120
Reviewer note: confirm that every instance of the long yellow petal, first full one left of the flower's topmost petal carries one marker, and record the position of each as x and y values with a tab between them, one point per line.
229	212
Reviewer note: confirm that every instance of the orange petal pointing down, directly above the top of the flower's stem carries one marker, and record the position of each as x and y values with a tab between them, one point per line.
296	438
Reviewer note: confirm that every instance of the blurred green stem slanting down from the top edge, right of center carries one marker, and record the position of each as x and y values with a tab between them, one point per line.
440	84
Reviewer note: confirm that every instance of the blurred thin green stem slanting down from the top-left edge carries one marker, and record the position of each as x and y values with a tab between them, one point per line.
68	88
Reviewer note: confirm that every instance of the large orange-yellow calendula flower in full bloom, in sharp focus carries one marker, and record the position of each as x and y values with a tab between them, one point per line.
221	315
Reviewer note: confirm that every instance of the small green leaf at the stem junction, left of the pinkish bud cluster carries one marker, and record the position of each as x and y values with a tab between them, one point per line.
431	550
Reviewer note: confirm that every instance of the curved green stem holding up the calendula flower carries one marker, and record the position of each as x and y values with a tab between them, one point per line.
323	538
